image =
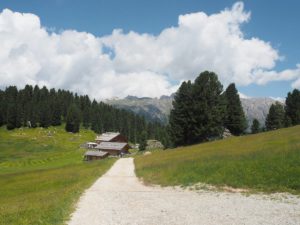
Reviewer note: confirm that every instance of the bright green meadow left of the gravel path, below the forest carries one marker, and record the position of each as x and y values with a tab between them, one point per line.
42	174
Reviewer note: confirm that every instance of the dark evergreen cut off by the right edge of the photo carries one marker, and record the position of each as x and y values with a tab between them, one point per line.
292	107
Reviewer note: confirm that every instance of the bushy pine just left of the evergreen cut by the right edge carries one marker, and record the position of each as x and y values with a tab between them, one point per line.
275	118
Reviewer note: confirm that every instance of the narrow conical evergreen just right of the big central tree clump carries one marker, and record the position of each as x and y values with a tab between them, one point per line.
235	120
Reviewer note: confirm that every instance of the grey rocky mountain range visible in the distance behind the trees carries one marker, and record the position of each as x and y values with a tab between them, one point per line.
158	109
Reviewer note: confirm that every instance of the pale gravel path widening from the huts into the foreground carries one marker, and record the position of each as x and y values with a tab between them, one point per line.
119	198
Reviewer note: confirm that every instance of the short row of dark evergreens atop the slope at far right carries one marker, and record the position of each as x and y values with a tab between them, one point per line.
281	115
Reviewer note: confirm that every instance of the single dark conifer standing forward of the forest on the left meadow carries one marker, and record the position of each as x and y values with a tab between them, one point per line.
73	119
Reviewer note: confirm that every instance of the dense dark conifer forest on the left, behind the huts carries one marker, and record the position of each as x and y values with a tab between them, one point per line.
41	107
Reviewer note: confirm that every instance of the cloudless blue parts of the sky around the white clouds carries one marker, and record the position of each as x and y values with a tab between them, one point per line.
274	22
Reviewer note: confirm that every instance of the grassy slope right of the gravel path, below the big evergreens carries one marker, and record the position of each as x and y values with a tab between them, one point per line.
268	162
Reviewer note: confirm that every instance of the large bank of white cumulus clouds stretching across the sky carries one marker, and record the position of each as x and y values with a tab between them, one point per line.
131	63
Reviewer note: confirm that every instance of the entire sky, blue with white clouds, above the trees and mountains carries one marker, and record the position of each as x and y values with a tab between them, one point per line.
147	48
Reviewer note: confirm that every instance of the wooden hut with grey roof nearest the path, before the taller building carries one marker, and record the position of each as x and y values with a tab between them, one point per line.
113	148
